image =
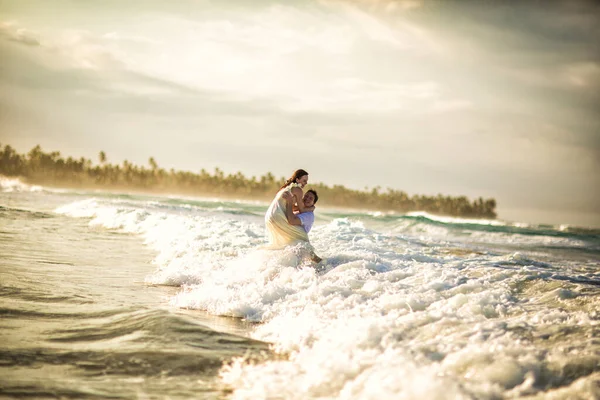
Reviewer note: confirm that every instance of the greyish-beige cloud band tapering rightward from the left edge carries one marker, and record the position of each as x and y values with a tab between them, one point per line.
30	82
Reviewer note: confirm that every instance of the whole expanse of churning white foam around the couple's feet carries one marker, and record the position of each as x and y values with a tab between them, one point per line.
389	319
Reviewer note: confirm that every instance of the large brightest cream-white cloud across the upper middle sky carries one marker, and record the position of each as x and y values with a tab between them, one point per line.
297	58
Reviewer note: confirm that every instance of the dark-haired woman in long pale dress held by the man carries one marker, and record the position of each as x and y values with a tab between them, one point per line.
279	230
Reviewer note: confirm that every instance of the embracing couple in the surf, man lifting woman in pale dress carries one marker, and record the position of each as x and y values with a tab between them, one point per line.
290	216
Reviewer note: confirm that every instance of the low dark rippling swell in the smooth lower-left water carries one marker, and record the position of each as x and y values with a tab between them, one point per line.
152	343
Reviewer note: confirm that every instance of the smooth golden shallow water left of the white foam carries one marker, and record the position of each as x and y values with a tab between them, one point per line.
78	320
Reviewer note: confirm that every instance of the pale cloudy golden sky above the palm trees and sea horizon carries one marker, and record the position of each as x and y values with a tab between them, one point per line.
478	98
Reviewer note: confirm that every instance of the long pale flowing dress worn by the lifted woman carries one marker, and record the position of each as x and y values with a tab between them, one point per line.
279	230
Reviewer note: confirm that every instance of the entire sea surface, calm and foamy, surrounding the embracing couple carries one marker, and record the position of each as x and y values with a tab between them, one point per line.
135	296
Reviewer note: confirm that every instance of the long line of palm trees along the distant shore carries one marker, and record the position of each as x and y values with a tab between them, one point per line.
50	168
